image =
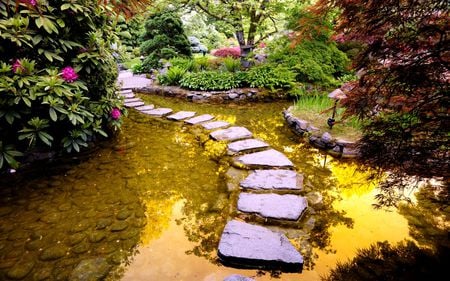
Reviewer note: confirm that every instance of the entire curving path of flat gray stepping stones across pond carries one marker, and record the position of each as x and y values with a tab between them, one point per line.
270	191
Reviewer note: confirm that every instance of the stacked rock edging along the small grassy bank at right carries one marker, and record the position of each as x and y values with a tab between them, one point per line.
325	141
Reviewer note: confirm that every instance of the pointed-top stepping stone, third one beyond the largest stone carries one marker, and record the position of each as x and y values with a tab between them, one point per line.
266	158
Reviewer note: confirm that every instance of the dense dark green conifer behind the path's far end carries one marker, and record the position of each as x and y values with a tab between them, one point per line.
163	38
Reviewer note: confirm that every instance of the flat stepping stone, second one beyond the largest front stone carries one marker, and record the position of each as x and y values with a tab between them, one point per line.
273	179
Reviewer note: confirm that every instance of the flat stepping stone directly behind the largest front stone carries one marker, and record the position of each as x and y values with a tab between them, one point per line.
274	206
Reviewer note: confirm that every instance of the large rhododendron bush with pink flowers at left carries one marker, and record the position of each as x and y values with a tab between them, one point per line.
57	77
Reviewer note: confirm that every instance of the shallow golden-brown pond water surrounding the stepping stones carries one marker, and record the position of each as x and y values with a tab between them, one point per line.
151	205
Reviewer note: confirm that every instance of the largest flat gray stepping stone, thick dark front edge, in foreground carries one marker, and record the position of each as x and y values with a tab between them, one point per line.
247	245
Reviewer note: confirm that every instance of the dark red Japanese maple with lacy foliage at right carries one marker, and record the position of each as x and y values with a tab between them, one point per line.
403	90
